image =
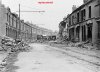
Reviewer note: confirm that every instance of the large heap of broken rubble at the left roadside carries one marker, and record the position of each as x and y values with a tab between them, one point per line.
10	46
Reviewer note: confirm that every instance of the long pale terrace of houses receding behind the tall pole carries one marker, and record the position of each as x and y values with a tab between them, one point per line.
12	26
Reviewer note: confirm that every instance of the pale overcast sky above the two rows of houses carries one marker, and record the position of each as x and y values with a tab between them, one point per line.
54	13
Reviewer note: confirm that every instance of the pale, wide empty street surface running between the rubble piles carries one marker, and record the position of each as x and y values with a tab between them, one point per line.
44	58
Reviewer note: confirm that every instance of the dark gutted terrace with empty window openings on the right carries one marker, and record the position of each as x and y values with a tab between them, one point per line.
83	24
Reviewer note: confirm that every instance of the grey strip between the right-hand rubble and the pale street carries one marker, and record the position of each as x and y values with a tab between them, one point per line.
84	51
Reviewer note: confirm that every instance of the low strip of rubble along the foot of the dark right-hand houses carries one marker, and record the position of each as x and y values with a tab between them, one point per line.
86	45
